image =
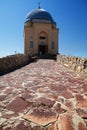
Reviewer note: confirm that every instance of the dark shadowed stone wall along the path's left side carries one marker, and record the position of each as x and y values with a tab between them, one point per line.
12	62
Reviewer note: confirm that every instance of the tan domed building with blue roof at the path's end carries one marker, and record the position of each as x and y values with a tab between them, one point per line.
40	33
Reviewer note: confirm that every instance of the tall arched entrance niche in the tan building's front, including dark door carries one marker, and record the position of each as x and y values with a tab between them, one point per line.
43	43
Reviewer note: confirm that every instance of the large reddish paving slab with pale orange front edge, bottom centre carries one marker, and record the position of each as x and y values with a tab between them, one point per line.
41	116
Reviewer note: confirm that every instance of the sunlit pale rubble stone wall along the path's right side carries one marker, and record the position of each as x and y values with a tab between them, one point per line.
76	63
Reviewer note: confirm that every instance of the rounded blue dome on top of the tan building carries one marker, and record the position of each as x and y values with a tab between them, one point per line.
39	14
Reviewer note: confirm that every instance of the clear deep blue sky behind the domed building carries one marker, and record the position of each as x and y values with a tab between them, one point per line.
70	16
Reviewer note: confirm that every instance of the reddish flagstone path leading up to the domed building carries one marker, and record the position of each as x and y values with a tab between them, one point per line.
43	96
